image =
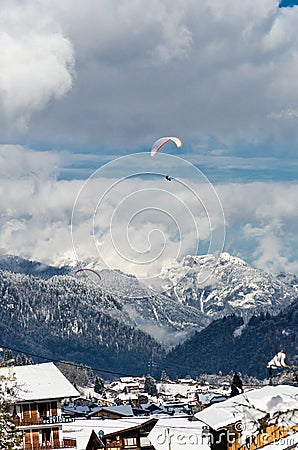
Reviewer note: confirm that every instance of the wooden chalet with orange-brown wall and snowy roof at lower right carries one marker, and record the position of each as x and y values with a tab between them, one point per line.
253	420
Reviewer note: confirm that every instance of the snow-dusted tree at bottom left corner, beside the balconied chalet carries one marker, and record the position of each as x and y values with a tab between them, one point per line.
10	436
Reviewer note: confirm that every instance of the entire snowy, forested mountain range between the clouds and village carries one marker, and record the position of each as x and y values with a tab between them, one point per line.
67	316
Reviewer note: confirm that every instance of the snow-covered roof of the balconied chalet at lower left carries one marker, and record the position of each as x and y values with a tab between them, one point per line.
40	382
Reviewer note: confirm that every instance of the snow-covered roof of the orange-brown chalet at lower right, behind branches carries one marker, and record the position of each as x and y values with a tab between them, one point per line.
247	408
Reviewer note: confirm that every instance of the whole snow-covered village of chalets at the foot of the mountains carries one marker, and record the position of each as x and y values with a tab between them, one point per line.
143	413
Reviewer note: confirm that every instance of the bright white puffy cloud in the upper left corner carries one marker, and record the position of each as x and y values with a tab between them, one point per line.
36	61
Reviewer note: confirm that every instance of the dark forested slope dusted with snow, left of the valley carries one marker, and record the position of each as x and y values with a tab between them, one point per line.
65	318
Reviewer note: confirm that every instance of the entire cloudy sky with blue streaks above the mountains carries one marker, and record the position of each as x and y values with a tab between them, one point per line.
85	90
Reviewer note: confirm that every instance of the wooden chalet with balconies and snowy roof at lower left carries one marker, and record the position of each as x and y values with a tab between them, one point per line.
37	410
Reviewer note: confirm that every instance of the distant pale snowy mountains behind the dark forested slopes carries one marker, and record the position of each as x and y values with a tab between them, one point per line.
190	294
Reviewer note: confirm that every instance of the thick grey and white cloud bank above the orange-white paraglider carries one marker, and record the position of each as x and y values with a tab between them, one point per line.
225	68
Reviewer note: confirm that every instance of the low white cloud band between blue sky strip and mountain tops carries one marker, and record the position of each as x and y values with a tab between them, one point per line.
151	221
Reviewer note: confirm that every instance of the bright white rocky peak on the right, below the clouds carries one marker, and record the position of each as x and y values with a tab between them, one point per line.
227	285
